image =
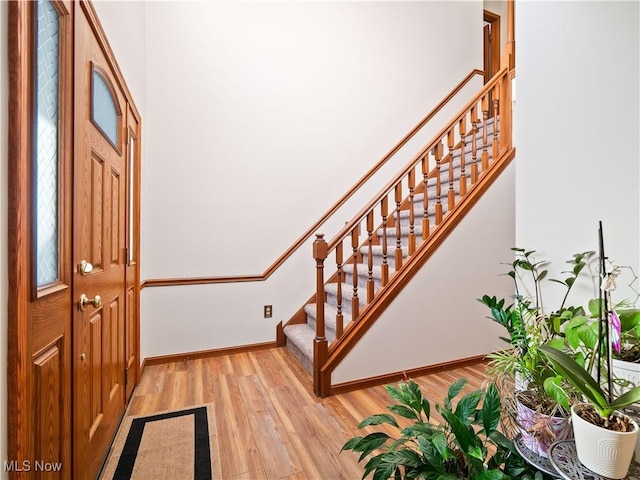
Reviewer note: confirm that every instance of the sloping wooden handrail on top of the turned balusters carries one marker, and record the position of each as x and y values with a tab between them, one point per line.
359	217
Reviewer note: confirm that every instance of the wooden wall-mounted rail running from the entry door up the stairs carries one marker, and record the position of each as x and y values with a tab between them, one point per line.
158	282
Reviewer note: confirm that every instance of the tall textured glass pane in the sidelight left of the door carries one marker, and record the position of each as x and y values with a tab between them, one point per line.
46	142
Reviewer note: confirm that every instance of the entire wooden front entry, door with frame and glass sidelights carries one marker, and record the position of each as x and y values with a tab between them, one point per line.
73	242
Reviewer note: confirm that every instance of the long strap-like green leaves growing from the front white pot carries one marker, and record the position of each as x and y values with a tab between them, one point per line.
582	381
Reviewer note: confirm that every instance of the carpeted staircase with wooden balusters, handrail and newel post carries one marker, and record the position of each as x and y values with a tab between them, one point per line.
385	244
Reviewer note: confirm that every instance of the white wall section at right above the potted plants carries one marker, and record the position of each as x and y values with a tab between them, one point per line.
577	125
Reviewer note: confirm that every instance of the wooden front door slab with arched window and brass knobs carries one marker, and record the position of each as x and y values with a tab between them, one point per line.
99	246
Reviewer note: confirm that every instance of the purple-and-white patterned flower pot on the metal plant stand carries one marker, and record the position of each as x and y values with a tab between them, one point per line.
539	430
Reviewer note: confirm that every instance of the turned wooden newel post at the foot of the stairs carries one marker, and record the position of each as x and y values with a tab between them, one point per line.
320	346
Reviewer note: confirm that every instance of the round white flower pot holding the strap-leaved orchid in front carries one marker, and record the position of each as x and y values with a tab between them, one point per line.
603	451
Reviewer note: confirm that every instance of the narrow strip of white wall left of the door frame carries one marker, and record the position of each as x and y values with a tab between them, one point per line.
4	96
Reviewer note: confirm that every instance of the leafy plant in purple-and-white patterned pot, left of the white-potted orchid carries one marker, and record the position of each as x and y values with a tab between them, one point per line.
540	417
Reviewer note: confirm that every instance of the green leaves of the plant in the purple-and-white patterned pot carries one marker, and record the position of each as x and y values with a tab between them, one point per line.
530	326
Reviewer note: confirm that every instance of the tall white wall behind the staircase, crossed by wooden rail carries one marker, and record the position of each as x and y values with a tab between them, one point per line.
259	116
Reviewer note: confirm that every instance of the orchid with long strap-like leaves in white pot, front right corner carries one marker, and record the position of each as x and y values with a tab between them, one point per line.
605	438
